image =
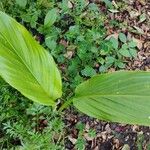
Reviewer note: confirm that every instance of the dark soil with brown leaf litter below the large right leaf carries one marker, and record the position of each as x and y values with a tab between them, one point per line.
109	136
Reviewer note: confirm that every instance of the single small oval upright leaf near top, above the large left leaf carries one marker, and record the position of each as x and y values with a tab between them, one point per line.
51	17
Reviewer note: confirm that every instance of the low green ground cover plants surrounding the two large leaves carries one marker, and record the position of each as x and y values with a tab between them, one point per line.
75	34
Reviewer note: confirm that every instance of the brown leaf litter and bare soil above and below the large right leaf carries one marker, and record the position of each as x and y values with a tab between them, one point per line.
115	136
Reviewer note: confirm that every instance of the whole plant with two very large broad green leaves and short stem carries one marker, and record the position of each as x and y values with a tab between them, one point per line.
28	67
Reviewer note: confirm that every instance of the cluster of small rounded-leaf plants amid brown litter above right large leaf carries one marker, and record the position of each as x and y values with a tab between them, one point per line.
115	50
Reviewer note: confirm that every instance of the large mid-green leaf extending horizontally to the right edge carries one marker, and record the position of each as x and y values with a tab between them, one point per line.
119	97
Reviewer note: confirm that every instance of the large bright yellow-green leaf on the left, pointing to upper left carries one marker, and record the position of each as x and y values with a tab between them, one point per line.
26	65
